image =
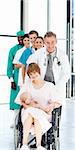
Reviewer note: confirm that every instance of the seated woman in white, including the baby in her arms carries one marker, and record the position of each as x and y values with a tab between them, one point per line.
38	98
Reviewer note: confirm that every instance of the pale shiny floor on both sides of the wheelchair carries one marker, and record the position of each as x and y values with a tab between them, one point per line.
67	127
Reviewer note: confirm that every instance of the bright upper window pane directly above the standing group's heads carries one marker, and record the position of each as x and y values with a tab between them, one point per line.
37	16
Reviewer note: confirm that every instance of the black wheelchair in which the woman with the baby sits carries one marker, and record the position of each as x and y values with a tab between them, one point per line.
50	140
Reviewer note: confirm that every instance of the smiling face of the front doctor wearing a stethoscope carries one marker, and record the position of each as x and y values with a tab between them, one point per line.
50	43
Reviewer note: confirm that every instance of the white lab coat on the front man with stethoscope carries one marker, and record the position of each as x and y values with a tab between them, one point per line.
61	72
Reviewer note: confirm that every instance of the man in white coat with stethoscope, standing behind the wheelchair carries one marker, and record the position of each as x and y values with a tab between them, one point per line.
53	63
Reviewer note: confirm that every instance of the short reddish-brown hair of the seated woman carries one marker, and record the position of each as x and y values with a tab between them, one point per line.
32	68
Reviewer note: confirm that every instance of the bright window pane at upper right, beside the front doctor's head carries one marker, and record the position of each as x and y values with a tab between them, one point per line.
57	21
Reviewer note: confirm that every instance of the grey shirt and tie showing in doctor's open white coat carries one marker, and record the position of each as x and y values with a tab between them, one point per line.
49	72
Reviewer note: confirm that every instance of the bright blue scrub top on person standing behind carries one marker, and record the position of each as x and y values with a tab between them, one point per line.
25	55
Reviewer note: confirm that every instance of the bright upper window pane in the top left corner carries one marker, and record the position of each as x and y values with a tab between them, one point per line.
9	16
